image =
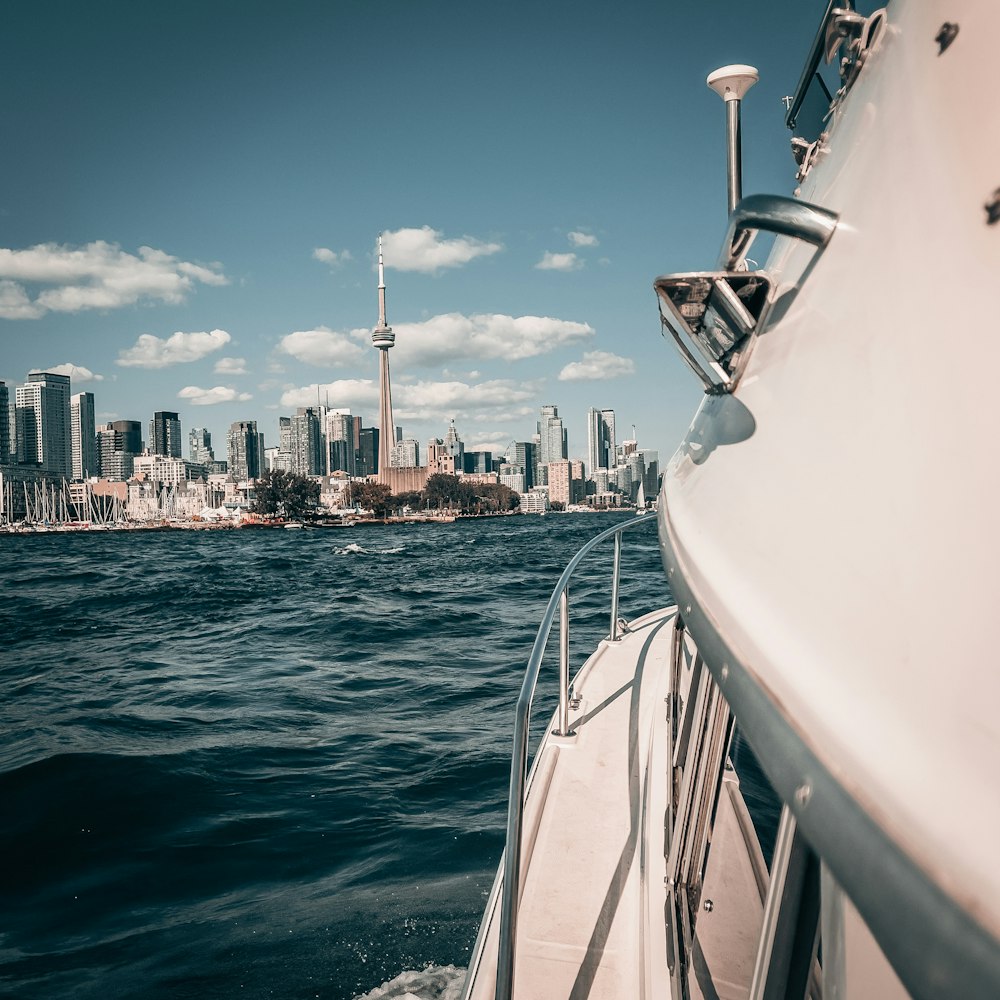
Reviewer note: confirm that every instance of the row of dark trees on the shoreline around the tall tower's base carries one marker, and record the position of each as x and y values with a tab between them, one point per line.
285	494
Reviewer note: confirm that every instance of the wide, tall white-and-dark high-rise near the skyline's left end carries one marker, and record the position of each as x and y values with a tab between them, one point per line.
43	427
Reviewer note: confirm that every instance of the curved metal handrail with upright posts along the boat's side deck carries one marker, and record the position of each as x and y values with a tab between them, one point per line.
519	756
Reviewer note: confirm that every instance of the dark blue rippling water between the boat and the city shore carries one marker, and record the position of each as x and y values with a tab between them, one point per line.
266	763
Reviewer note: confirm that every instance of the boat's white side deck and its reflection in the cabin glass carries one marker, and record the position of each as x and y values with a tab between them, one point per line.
590	922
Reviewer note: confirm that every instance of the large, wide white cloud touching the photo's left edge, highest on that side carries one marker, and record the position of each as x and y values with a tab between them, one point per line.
99	275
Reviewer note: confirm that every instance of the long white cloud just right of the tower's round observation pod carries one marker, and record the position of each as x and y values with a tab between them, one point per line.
451	337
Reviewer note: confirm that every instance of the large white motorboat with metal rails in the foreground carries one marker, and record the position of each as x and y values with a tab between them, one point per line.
828	529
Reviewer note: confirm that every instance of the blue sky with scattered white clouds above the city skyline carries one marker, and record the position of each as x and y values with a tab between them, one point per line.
191	195
